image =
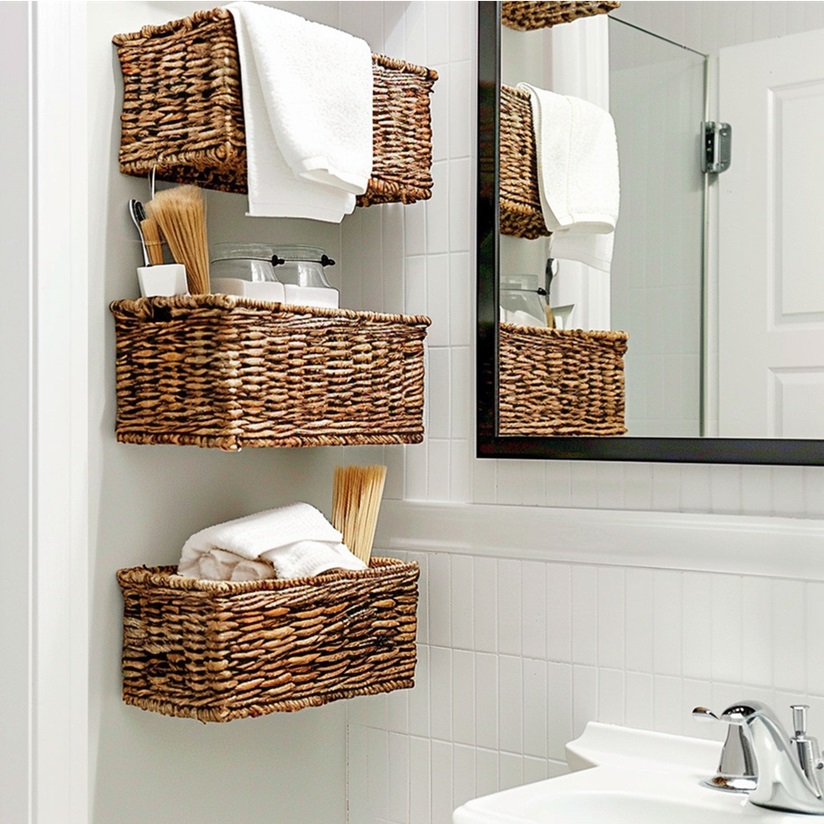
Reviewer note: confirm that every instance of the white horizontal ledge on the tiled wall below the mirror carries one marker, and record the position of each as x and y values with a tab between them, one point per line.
741	545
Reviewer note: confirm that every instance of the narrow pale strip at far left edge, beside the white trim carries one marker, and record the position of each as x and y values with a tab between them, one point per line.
15	411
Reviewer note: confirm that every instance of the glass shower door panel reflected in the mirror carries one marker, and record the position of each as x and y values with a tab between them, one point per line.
658	101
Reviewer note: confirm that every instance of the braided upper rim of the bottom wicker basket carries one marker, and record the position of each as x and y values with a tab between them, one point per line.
166	577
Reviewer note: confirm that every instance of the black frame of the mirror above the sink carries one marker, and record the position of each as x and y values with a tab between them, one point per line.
490	444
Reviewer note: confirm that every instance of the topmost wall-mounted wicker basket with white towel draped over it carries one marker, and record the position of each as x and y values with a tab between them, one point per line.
183	111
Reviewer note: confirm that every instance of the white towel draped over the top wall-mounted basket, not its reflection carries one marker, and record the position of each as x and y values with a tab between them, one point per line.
307	100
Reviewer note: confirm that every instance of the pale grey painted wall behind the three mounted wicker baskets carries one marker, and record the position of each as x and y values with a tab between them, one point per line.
145	501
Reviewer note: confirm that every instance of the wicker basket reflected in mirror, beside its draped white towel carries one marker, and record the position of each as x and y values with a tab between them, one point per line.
521	212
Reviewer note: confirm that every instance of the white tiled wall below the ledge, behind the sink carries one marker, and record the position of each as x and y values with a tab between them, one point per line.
646	646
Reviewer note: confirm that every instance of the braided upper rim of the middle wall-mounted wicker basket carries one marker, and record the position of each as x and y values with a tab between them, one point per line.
144	307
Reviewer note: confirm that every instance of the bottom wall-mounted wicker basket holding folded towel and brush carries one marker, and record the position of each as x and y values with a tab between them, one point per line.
218	650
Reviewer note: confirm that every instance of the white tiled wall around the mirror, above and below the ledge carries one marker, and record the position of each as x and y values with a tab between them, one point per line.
516	656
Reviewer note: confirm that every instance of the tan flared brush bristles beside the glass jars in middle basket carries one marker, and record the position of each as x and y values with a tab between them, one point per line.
181	215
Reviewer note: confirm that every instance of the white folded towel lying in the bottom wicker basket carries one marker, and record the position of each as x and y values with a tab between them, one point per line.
289	542
